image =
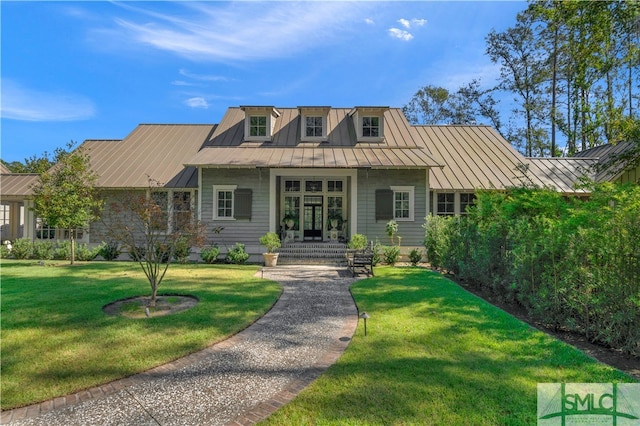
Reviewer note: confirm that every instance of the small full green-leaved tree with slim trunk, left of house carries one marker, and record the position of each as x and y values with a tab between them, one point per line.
65	196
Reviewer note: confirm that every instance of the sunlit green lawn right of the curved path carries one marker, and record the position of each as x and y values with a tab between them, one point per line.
436	354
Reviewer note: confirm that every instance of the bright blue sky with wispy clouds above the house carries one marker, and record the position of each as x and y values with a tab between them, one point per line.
95	70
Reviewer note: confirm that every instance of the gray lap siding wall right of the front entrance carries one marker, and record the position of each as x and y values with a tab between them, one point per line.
369	181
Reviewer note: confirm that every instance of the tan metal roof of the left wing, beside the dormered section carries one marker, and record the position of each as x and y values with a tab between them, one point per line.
151	151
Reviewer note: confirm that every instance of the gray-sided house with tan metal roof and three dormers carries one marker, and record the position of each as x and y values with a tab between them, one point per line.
315	174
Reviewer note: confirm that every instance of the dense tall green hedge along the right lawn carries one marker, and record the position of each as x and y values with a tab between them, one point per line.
572	264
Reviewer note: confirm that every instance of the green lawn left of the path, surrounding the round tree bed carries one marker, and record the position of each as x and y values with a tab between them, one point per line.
57	340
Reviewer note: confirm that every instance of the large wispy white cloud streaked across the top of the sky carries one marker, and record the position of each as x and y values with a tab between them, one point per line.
238	31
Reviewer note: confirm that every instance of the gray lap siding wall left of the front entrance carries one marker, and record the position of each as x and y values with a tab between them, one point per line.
244	231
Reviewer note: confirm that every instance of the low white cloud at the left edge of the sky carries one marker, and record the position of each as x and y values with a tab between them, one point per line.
21	103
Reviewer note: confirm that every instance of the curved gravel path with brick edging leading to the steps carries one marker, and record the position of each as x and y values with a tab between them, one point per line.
238	381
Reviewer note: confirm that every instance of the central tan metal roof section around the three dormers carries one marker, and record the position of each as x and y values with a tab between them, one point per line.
400	148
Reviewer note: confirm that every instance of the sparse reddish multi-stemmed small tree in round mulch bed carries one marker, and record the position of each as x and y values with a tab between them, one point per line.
153	226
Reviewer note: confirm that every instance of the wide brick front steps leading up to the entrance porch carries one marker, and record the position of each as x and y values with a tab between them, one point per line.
313	253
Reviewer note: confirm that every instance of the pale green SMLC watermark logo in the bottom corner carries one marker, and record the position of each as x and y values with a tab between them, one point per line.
616	404
